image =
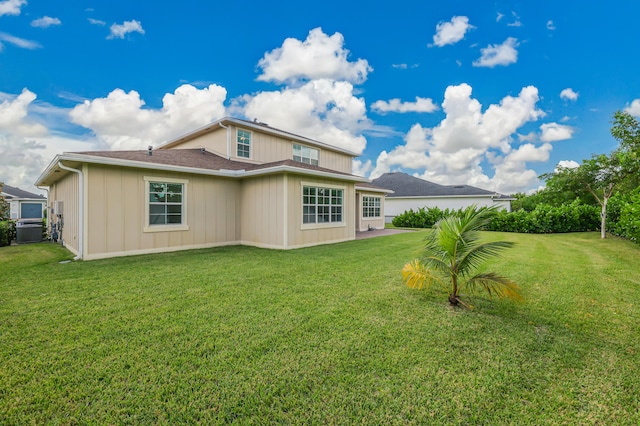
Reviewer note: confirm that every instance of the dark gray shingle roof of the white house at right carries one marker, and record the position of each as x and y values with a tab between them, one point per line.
404	185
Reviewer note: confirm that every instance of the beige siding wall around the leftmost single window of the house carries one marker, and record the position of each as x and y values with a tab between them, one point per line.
116	214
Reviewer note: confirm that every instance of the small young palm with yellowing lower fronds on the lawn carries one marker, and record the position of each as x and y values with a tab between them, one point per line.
453	252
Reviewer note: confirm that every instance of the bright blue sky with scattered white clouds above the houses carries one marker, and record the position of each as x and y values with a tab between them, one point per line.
490	94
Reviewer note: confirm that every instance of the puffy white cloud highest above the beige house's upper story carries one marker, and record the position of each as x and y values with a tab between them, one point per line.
318	57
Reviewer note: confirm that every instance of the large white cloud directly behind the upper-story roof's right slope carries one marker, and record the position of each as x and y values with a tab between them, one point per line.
323	109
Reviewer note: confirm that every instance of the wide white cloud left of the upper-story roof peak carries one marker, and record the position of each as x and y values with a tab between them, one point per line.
121	122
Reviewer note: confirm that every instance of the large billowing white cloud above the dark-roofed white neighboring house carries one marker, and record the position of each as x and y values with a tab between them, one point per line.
467	139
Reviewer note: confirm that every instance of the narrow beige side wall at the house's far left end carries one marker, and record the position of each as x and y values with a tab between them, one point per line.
66	189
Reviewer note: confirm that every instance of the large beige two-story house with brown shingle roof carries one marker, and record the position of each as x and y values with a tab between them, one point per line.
231	182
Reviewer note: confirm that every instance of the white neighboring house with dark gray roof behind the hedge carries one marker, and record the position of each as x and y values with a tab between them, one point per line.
413	193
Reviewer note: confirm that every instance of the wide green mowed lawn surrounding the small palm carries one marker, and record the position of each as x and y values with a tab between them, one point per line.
324	335
